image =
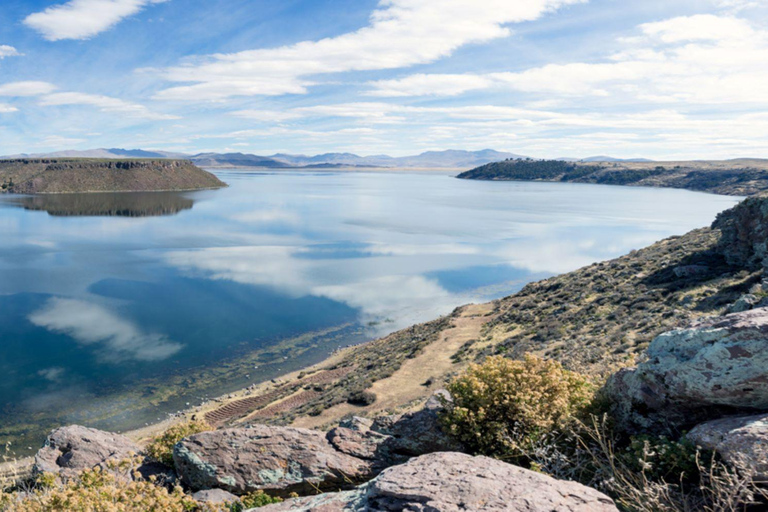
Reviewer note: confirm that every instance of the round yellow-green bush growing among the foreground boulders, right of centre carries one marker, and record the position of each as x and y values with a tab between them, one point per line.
503	407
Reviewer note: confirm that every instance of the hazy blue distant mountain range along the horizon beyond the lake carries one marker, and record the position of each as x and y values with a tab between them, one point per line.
449	159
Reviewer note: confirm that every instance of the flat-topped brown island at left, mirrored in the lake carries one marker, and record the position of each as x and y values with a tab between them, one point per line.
58	176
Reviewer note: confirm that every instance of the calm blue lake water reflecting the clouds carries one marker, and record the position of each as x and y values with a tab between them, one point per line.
116	309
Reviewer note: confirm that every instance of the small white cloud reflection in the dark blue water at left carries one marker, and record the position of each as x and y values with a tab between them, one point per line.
90	324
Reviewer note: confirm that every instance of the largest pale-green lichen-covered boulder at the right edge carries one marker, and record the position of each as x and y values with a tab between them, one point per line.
714	368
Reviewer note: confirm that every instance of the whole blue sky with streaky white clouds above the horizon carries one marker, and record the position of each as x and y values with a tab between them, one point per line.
662	79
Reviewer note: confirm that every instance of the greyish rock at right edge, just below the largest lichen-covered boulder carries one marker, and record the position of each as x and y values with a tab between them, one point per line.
740	440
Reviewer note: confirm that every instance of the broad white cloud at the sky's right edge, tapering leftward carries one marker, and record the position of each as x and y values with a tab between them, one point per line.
702	59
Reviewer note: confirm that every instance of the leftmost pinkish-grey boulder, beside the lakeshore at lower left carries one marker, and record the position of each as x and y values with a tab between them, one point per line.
70	450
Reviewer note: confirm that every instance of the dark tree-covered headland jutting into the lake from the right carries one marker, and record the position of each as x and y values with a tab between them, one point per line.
731	177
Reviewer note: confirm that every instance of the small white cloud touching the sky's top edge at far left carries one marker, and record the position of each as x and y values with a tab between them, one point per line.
82	19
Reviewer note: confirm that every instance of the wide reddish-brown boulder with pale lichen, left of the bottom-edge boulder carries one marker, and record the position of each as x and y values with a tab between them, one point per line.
280	460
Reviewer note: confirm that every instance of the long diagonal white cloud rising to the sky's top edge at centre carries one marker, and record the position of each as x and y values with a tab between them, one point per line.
401	33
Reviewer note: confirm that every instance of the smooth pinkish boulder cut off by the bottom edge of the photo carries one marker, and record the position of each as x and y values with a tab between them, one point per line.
450	482
